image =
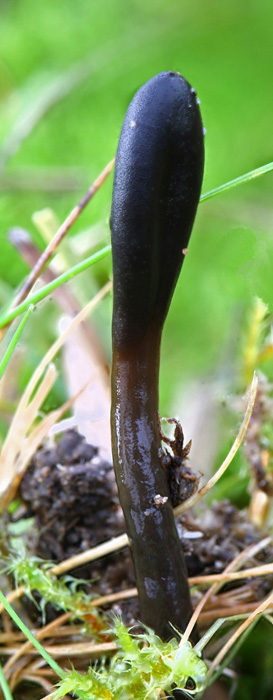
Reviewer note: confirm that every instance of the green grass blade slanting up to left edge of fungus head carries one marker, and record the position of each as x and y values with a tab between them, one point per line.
8	316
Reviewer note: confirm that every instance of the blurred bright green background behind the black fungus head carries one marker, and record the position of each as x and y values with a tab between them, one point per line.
67	73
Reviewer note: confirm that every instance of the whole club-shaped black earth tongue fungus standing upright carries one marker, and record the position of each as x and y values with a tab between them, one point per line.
158	176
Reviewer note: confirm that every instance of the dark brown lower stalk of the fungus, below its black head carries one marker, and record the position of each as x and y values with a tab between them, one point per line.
161	575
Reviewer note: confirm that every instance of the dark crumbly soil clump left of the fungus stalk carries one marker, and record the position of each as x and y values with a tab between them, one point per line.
71	492
